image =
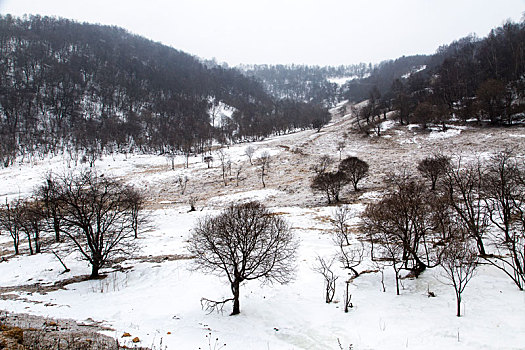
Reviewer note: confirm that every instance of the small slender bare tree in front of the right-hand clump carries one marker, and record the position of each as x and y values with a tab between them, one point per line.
459	262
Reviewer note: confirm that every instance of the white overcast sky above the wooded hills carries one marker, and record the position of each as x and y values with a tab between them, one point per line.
322	32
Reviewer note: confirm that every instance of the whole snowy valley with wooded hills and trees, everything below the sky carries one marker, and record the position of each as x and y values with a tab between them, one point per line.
152	199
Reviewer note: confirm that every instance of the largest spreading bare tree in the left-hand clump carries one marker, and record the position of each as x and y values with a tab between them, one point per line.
97	217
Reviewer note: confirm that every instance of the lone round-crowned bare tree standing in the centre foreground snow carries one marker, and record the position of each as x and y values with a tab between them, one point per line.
245	242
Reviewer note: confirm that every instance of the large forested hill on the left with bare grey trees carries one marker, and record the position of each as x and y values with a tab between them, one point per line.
83	88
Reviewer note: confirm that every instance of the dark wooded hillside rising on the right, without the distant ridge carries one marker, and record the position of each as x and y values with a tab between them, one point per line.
481	79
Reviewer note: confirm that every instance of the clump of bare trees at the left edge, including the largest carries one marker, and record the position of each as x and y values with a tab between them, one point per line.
98	215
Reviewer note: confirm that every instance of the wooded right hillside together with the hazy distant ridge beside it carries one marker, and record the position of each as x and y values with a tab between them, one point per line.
471	78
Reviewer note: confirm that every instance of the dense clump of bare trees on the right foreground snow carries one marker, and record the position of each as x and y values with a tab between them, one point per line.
472	211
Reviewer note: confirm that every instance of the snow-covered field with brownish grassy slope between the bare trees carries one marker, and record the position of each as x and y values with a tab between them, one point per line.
156	294
